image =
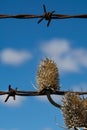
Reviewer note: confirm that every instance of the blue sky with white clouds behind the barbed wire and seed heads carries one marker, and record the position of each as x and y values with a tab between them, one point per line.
24	43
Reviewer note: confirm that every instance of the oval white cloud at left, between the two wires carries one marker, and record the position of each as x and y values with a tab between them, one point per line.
14	57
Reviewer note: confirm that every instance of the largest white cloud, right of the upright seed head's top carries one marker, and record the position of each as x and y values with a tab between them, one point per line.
68	59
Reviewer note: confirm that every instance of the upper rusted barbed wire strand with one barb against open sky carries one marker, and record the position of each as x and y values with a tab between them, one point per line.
46	15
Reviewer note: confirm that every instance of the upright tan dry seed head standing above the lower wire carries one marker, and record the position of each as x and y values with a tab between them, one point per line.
47	75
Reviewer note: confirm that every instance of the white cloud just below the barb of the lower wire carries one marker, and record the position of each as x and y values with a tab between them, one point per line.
12	103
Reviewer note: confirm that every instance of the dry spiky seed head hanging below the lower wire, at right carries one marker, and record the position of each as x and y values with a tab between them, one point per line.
72	110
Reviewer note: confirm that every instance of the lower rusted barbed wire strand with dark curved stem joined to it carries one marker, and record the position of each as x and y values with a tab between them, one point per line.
15	92
